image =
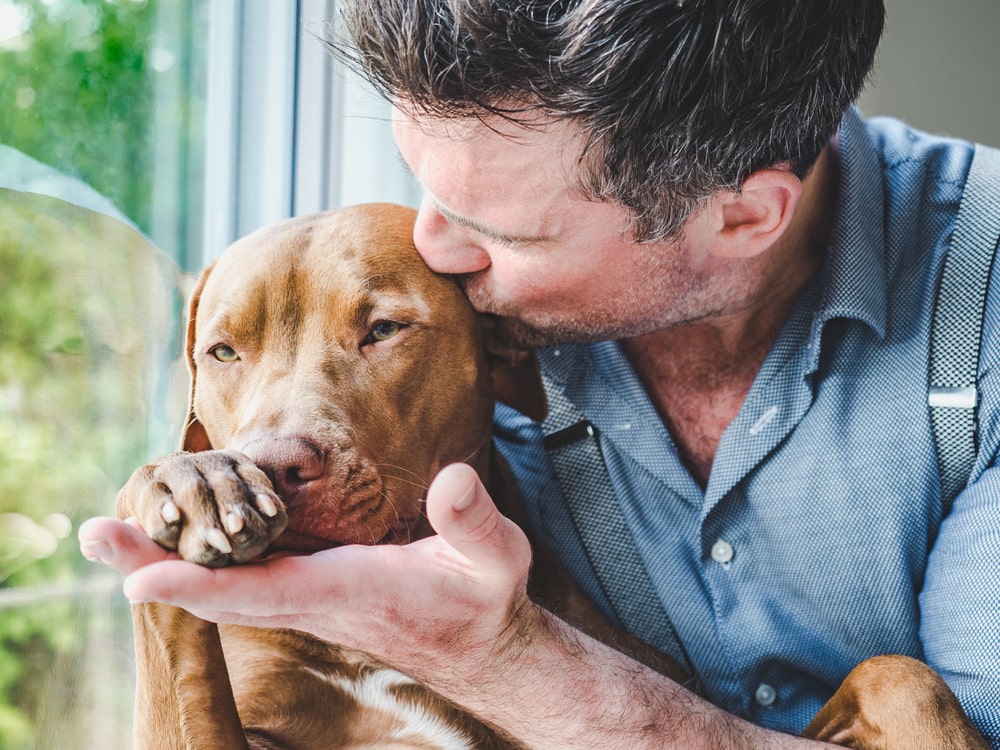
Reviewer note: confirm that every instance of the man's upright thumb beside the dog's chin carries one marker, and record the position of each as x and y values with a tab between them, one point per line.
464	515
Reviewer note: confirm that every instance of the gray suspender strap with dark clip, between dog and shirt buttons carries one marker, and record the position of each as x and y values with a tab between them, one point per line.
572	443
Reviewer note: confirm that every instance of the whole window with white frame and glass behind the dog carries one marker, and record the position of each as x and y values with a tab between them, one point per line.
138	138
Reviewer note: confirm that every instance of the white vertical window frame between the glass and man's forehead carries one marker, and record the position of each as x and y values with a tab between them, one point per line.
289	130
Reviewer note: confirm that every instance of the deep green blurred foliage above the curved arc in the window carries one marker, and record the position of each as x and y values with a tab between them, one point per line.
76	93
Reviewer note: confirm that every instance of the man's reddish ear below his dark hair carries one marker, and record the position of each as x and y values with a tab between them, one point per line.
753	219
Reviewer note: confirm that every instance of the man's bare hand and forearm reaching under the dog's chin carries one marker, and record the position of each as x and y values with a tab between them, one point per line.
452	611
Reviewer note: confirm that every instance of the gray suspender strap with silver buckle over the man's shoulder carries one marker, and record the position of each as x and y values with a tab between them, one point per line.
956	329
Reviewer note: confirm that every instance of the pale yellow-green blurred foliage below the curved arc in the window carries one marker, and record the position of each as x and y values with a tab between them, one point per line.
89	321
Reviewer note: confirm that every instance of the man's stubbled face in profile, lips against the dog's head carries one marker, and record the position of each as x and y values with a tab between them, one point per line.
500	212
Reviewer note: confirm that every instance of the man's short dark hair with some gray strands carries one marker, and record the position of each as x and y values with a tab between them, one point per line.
676	99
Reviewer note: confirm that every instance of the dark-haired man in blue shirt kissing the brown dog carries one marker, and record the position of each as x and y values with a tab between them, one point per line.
732	277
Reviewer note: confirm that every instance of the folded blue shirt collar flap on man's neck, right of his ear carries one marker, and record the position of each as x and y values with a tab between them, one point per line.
853	283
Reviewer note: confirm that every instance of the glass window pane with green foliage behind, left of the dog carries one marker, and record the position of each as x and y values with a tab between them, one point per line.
101	153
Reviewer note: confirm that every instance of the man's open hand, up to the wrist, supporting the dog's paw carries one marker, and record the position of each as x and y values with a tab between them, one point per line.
417	606
